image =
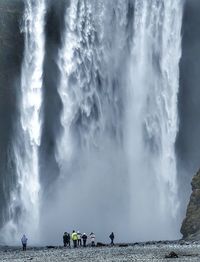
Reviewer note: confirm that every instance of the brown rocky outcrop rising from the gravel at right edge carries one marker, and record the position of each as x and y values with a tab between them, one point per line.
191	224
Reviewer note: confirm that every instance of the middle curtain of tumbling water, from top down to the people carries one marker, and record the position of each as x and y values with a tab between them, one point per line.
88	149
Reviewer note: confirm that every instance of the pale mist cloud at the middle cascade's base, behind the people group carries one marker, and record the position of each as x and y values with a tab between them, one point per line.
91	197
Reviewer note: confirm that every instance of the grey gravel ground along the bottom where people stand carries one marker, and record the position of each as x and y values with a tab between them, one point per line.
150	252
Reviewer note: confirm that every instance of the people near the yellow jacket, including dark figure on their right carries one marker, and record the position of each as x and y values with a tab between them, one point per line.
81	239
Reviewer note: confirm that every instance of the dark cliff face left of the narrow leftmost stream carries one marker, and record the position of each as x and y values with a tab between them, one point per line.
11	53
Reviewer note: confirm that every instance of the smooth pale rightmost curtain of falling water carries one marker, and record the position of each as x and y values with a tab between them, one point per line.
152	118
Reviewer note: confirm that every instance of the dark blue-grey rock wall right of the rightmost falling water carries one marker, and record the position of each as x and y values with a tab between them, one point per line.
188	142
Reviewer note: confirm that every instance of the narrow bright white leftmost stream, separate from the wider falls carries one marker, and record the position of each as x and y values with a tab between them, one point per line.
24	207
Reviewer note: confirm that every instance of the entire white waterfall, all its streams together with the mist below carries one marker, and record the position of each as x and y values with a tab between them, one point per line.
119	80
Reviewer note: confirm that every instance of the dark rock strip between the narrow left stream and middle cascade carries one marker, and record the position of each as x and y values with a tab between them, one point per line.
52	105
